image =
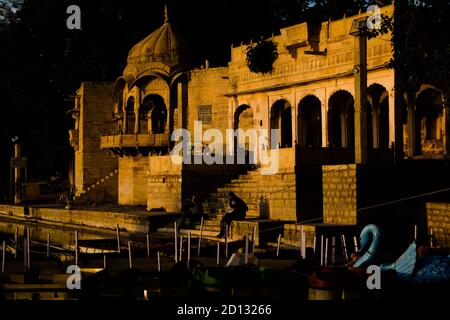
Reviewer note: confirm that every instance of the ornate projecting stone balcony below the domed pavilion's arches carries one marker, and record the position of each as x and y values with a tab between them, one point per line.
133	144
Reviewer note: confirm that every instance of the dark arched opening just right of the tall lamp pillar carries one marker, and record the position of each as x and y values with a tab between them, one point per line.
377	117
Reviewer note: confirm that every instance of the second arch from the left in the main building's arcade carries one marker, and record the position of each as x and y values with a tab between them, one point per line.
281	118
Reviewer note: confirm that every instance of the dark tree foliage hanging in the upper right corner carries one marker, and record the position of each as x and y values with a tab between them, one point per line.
422	44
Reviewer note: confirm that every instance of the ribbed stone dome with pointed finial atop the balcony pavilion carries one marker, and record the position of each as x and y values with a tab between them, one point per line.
164	45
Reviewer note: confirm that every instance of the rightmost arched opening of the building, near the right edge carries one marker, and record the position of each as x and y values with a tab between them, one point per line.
429	129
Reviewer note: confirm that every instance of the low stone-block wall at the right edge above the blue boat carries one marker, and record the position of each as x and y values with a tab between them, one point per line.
438	219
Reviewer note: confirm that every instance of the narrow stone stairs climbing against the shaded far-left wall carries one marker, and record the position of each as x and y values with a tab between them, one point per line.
97	190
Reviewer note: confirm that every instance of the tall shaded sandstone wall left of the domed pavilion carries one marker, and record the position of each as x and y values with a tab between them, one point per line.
91	163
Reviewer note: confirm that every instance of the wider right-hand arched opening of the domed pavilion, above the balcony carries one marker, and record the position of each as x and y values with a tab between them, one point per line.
152	114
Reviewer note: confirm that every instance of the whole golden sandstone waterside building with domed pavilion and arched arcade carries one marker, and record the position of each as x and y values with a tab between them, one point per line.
122	134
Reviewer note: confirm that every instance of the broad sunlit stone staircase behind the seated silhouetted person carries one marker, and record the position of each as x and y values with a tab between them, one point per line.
267	198
